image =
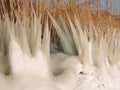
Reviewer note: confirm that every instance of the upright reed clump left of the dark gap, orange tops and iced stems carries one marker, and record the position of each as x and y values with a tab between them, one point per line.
22	22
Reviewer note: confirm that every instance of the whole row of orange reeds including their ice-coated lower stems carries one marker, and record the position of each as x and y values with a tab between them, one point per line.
90	34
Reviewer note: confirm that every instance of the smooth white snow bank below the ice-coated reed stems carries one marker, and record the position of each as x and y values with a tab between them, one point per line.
33	73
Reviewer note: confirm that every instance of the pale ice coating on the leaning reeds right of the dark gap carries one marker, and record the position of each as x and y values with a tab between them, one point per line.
91	48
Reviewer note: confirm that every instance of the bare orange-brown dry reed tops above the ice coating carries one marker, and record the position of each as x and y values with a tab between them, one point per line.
21	9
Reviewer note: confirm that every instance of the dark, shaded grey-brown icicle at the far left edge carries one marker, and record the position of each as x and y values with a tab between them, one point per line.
4	50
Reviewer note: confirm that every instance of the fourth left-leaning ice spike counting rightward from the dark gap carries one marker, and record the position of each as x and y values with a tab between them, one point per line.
83	38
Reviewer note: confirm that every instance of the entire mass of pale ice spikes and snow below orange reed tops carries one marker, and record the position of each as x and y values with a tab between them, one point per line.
25	55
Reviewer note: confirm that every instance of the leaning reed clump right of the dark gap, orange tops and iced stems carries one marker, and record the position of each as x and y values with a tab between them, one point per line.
92	35
